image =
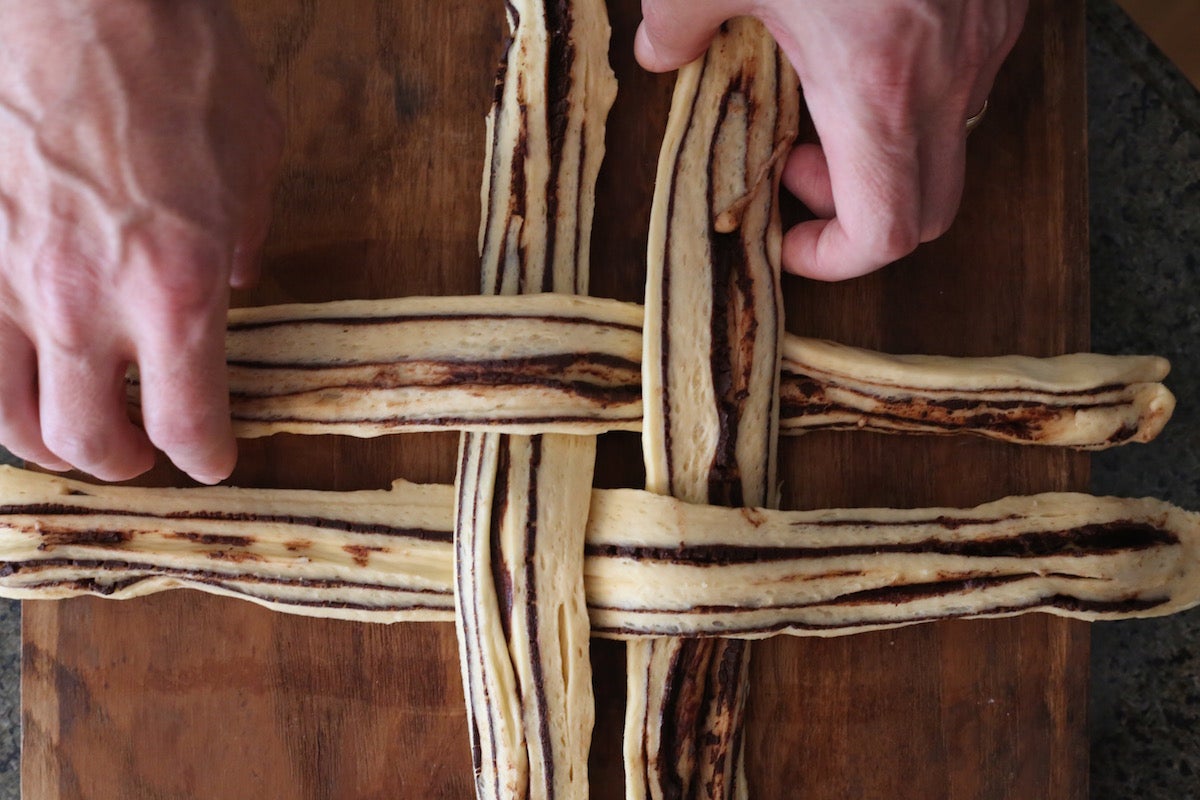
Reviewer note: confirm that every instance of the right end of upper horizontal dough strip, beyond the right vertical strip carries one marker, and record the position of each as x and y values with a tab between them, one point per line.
1083	401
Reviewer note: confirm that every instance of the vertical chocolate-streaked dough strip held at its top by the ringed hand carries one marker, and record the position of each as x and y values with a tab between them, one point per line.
711	382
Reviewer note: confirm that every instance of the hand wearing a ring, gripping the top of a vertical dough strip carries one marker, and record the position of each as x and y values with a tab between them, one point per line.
890	86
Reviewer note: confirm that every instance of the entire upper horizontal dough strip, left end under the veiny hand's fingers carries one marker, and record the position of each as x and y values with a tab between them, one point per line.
561	364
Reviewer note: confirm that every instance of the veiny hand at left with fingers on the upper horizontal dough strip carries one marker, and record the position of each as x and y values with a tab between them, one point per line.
137	151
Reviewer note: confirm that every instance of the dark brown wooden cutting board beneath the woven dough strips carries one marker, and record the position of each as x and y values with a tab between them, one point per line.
189	696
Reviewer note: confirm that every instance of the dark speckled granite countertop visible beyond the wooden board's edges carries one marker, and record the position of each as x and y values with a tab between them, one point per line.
1144	135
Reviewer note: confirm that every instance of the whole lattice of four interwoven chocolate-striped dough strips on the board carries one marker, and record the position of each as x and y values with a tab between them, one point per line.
523	554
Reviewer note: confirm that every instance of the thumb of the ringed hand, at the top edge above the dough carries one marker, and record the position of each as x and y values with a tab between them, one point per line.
675	33
